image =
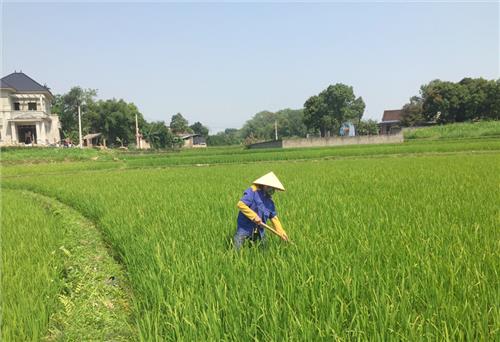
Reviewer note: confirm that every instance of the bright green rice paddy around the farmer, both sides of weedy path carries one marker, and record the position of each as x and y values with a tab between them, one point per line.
393	242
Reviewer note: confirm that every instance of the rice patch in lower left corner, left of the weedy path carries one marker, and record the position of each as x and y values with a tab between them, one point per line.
31	266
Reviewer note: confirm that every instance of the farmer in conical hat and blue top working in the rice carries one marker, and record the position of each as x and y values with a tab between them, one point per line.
256	207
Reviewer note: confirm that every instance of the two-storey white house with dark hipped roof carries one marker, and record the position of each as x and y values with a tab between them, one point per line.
25	112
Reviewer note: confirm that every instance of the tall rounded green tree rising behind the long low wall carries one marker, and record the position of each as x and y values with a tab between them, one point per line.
333	106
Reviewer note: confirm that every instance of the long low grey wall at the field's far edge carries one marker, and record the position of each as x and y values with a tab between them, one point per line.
339	141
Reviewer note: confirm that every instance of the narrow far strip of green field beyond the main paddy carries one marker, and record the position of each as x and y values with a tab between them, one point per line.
234	156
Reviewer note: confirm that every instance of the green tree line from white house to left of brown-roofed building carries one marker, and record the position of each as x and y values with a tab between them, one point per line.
115	120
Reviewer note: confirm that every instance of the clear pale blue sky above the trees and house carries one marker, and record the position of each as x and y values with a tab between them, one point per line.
220	63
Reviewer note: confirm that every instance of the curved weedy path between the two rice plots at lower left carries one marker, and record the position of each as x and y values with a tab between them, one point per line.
95	299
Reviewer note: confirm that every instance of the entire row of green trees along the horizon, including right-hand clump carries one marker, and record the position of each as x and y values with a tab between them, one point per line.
322	115
